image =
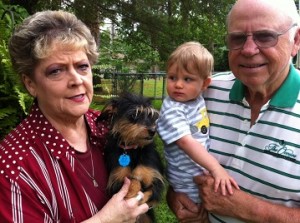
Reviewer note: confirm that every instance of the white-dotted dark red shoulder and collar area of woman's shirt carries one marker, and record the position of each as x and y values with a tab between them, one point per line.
35	133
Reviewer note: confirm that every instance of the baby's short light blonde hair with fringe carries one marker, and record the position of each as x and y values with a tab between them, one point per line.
195	54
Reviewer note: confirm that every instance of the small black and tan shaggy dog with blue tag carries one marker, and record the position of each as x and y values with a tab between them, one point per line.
130	150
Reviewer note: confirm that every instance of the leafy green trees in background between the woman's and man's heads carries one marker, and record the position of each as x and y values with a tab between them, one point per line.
150	28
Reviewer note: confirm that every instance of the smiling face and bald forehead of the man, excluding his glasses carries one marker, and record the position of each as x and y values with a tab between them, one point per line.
259	68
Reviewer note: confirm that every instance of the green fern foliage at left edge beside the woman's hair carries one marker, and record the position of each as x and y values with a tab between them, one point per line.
14	101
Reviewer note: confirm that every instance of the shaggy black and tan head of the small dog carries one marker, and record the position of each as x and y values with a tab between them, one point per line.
132	118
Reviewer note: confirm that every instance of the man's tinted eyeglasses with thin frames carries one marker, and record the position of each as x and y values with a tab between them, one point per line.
263	38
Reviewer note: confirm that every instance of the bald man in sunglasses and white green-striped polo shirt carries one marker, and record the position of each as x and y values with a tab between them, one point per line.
255	120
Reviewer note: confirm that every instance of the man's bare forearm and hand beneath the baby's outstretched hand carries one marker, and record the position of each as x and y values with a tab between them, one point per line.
243	206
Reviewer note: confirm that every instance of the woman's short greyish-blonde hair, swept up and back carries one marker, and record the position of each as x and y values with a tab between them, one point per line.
33	40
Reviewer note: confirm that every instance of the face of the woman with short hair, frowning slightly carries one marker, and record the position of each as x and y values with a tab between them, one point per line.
62	84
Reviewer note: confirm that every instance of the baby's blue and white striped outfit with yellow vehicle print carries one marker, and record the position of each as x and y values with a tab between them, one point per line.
176	120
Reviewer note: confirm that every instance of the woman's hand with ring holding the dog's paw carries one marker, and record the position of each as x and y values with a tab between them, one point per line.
119	210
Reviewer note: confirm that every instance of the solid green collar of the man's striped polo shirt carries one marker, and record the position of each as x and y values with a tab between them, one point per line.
286	96
